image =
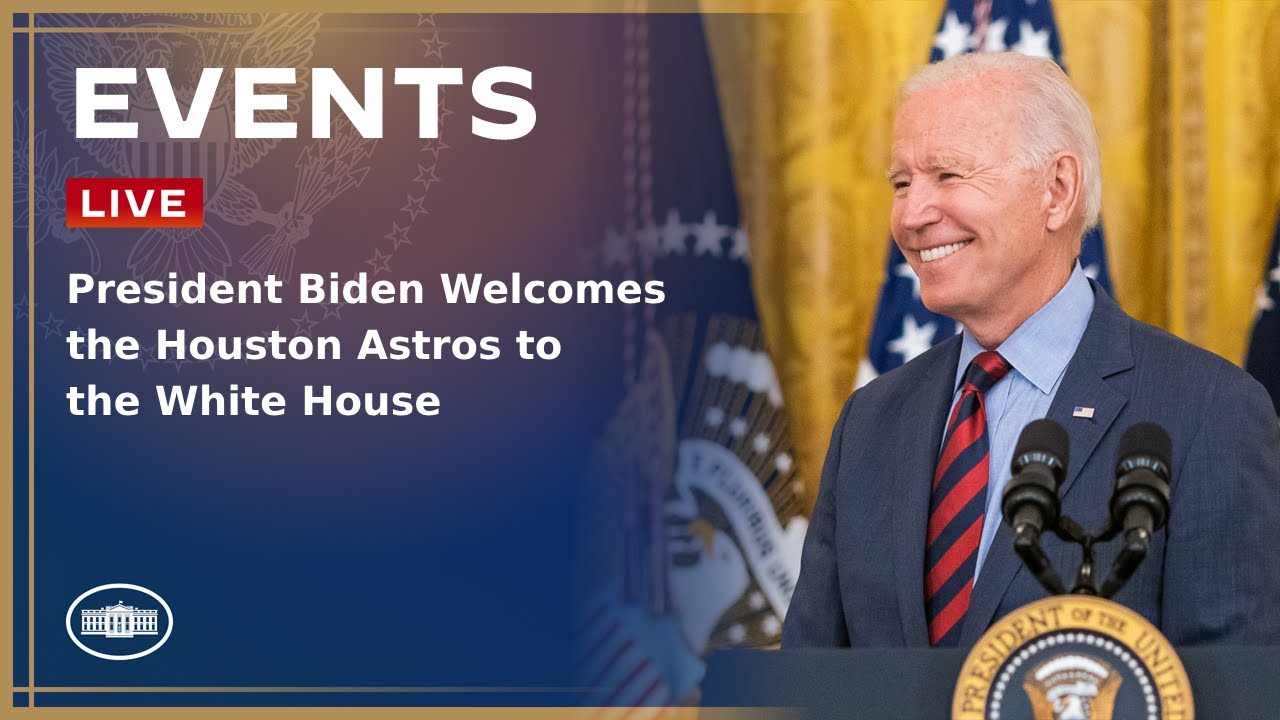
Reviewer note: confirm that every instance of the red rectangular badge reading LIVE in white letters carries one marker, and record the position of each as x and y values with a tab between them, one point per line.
135	203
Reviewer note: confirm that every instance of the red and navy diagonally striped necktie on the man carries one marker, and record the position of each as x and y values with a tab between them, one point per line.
959	504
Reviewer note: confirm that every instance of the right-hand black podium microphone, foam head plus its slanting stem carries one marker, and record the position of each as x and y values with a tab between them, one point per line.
1140	505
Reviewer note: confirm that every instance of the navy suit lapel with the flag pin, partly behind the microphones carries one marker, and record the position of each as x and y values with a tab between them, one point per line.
1105	350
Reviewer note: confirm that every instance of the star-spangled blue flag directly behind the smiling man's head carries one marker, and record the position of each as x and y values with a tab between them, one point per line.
903	327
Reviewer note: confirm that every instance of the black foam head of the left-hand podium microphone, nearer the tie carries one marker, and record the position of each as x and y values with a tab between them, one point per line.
1031	502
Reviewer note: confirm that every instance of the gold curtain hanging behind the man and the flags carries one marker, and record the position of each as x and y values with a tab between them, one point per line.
1187	101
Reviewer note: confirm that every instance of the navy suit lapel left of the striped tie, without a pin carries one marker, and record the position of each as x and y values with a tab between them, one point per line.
920	432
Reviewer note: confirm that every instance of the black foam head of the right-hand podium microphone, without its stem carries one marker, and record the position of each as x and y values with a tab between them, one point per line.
1141	500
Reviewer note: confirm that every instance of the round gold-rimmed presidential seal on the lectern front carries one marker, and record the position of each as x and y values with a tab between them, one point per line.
1073	658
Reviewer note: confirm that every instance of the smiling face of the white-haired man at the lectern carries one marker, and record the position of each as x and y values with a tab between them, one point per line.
971	222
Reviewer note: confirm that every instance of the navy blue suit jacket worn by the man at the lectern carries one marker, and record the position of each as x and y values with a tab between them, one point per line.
1212	577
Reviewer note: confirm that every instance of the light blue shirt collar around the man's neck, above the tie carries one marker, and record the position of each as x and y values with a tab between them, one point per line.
1043	347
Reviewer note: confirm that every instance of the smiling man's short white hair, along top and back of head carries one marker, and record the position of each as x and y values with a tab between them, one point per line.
1049	107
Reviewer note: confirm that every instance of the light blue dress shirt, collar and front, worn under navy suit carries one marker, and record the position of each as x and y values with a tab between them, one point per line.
1039	352
